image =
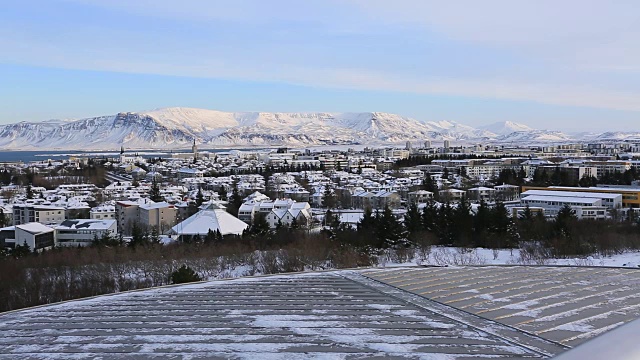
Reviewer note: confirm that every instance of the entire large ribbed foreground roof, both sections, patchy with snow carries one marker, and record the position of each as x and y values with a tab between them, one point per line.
411	312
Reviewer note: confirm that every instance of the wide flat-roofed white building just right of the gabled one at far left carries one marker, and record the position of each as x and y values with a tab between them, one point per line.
82	232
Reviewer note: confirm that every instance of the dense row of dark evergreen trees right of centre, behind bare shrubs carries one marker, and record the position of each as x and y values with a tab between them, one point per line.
489	227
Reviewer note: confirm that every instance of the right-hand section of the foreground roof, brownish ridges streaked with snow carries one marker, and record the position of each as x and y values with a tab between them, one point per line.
566	305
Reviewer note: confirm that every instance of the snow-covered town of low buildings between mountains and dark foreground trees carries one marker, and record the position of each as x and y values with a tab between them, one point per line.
194	195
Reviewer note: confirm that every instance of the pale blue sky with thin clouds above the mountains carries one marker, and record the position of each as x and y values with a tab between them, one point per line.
570	65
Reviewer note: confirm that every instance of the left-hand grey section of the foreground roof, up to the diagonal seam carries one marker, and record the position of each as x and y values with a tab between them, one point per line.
337	315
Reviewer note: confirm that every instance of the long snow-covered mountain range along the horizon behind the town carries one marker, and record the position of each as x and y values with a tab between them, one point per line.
178	128
